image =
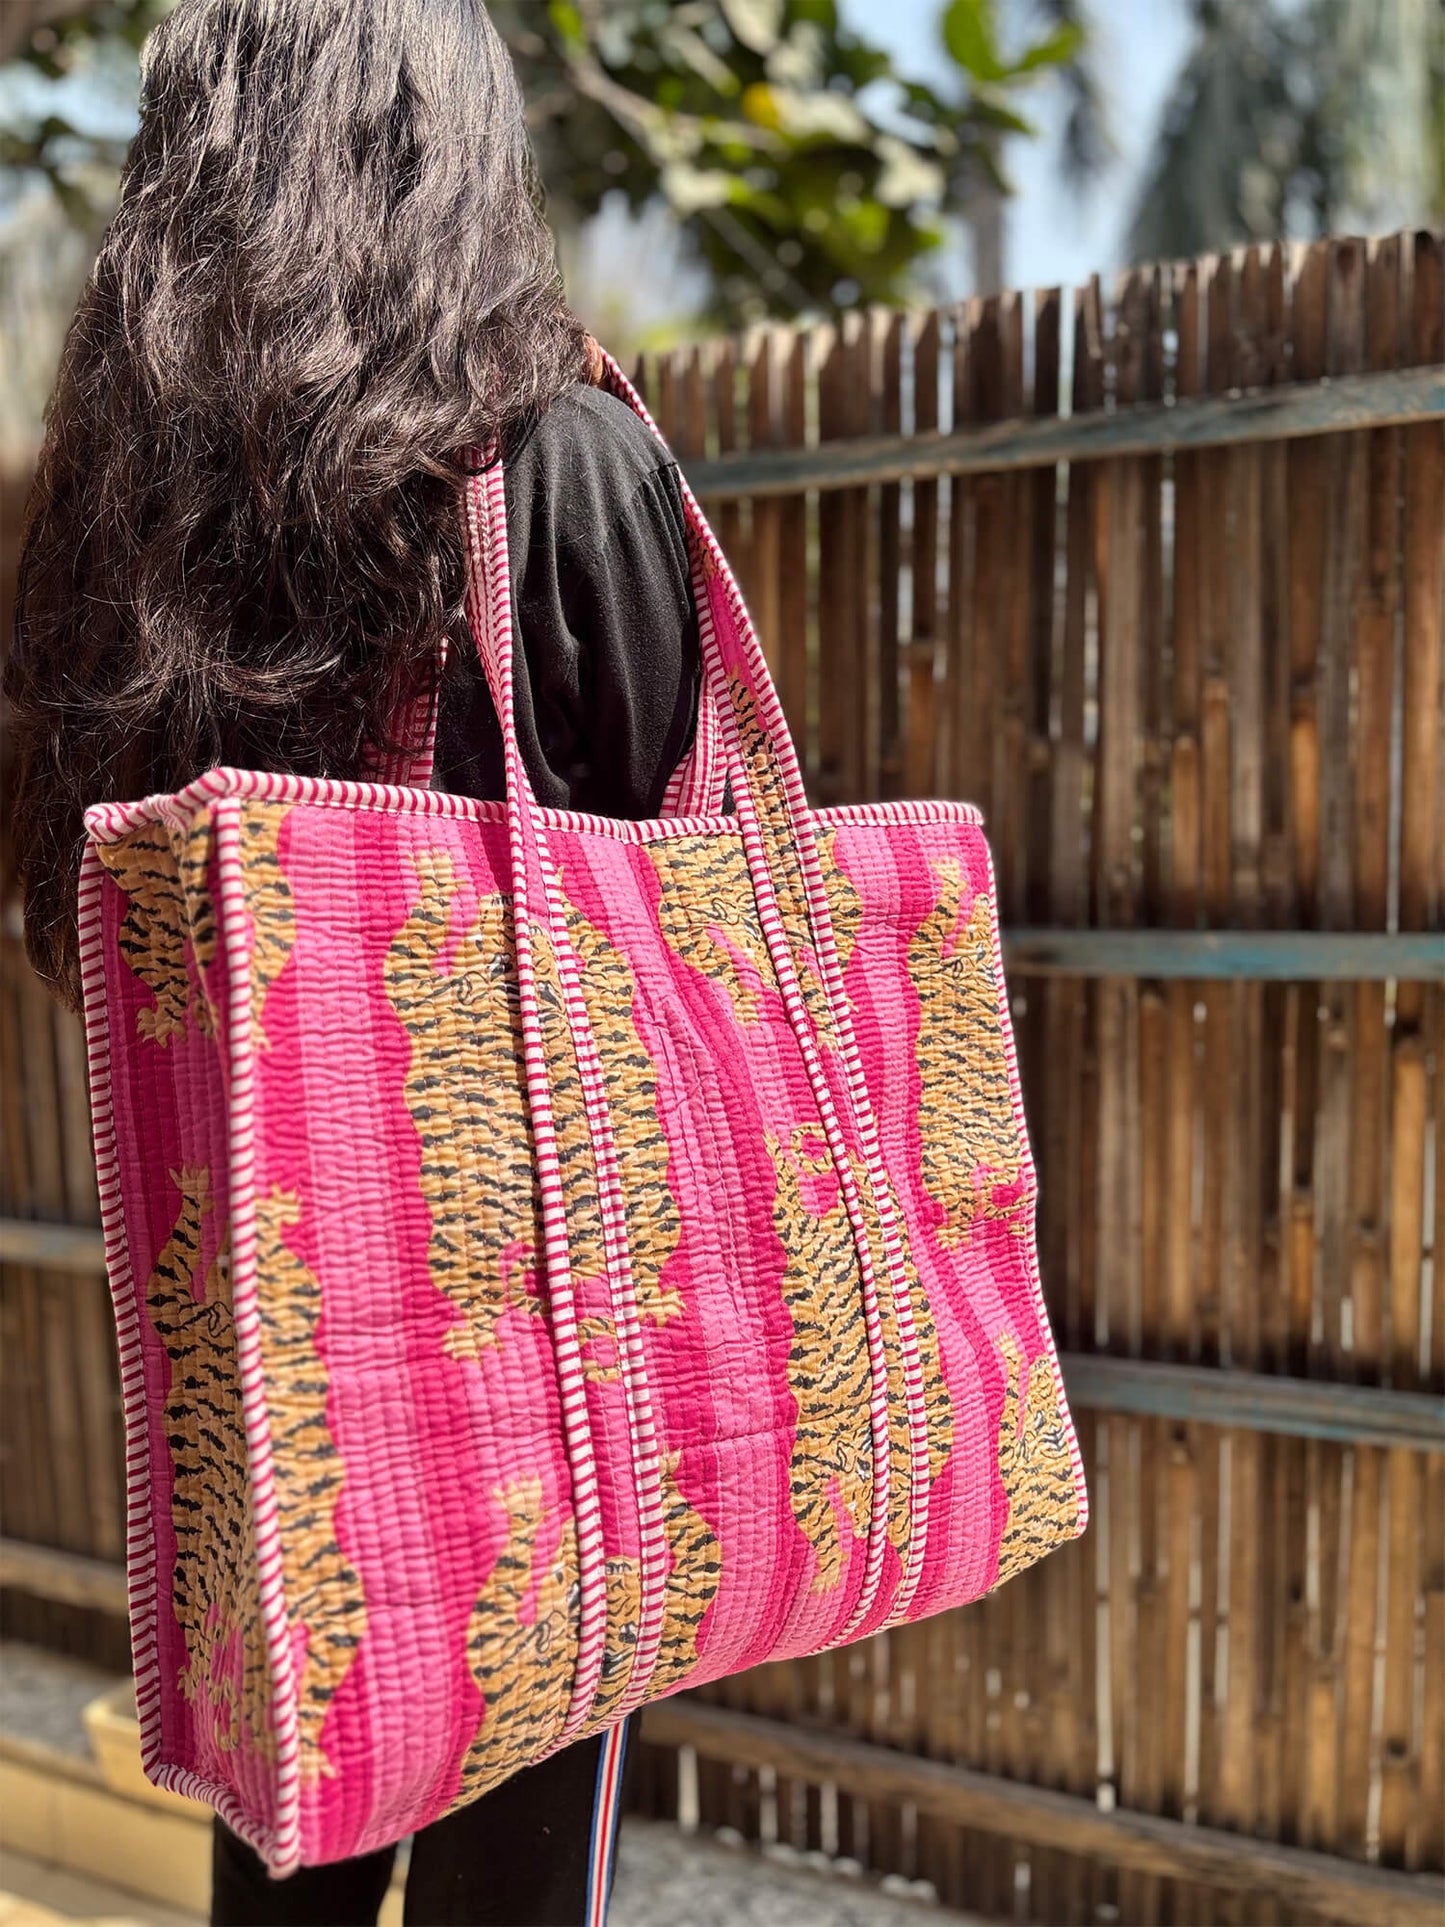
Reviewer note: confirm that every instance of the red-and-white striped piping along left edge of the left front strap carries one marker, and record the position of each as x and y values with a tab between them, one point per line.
488	593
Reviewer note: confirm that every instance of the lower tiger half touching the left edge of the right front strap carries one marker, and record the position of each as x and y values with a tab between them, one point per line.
829	1373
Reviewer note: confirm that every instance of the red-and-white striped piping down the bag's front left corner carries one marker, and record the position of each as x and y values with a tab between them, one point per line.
234	932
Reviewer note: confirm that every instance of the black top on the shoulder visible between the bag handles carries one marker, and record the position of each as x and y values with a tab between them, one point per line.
604	614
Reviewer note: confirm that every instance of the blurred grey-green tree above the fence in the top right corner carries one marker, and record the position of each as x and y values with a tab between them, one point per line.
1298	117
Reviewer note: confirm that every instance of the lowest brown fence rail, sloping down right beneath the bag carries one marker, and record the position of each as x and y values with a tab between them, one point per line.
1142	1843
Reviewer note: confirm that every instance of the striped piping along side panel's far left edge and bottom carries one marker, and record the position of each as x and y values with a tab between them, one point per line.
142	1577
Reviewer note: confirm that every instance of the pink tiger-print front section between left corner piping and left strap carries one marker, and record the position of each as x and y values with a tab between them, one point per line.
425	1510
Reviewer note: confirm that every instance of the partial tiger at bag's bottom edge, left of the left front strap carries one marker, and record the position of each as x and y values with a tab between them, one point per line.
521	1643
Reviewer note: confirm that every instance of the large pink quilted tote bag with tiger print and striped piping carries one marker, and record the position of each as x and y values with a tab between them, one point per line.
556	1261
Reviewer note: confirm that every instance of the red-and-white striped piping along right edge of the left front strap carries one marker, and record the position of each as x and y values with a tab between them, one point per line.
627	1323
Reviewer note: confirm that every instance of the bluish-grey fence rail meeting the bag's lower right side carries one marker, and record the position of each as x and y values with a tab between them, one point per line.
1257	1402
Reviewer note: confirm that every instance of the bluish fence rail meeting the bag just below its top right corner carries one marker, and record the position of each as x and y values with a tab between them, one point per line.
1294	957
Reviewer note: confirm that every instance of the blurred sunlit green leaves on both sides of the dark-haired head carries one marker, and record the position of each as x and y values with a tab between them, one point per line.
806	172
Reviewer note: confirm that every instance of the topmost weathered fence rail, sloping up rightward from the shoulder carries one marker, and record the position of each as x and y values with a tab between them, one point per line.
1286	413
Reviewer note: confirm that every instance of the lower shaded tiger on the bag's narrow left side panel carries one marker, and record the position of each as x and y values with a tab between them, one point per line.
215	1589
